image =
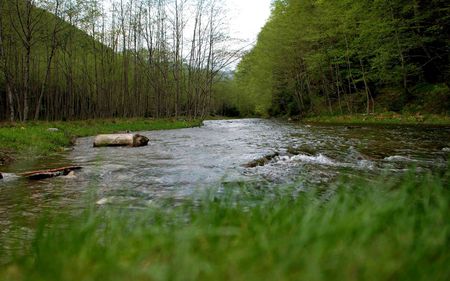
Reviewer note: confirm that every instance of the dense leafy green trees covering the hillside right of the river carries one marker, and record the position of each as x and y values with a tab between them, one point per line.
348	56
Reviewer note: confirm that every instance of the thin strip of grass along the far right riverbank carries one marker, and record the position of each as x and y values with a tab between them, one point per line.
381	119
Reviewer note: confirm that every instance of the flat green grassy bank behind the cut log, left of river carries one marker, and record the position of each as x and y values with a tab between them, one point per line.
35	139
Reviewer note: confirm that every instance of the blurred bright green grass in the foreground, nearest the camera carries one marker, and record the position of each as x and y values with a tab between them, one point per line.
395	230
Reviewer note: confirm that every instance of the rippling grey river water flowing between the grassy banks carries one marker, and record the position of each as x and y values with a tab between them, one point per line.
181	163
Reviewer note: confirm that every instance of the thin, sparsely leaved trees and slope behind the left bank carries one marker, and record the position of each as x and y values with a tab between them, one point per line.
64	59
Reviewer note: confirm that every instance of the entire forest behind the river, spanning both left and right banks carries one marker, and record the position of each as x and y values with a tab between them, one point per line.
65	59
